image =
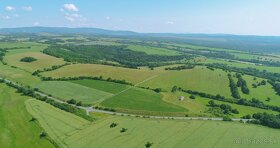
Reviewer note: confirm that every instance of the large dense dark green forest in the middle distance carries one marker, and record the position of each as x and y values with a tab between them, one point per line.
104	53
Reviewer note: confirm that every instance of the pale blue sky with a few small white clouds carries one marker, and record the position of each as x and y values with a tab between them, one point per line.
253	17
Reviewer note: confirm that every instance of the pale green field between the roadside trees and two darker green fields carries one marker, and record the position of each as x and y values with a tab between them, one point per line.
67	90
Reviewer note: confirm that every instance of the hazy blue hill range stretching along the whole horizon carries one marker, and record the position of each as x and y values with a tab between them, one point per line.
250	43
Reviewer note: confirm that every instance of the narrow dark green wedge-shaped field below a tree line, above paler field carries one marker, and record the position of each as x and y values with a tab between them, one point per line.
102	85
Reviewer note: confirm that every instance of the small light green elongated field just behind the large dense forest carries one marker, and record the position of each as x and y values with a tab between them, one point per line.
153	50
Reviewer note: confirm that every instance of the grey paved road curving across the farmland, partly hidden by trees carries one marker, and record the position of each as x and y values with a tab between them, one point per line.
92	109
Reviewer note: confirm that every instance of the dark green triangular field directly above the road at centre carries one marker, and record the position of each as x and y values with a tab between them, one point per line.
141	100
